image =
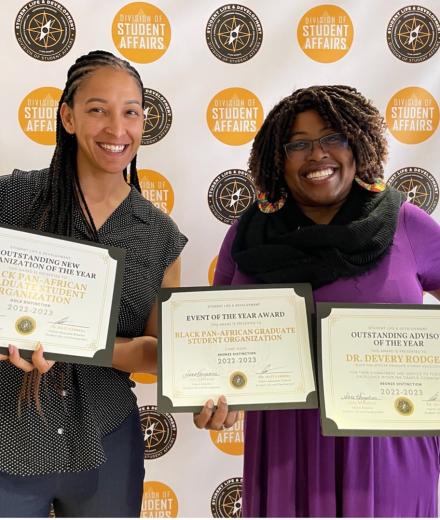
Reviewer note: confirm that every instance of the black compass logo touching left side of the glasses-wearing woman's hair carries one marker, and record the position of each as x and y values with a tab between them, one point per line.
230	194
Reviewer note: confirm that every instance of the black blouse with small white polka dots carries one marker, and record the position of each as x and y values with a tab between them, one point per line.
82	403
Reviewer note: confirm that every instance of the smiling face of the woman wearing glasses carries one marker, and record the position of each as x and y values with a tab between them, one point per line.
318	180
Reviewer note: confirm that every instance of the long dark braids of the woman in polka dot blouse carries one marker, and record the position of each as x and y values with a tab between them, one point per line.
52	209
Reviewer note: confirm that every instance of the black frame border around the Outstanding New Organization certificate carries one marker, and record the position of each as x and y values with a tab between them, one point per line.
102	357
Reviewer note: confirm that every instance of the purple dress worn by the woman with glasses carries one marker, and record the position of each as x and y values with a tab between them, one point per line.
290	469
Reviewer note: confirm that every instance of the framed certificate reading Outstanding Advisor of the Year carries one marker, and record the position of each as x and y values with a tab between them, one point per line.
379	369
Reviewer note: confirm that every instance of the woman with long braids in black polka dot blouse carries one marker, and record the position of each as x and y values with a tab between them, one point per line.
76	440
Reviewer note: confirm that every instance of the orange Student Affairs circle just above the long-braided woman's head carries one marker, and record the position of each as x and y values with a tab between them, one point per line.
141	32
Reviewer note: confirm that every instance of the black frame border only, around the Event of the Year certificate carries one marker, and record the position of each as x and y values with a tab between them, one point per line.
164	403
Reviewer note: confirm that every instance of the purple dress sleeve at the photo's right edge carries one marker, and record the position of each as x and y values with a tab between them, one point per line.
424	236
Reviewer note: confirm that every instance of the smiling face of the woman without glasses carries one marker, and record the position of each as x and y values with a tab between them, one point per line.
107	121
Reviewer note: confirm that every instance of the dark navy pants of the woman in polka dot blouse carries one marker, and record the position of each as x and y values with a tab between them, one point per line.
114	489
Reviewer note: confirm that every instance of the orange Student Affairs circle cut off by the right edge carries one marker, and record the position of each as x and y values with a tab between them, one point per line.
412	115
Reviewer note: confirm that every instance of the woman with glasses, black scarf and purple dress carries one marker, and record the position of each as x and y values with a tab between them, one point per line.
324	216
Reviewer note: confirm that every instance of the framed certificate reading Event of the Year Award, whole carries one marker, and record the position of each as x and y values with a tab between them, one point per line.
250	343
